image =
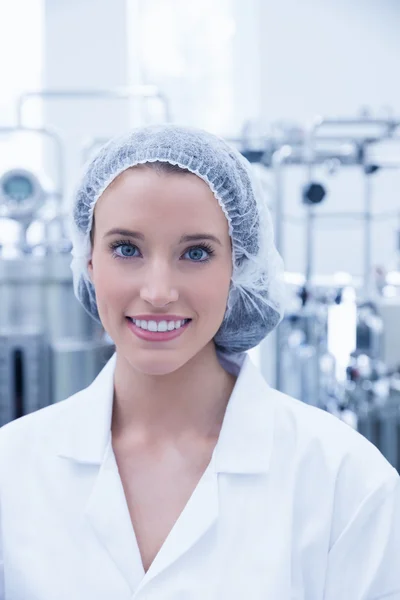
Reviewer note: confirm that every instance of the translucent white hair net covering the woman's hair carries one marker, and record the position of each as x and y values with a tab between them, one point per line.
256	296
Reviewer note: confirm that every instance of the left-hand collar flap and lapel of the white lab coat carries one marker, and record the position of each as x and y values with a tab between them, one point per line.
85	438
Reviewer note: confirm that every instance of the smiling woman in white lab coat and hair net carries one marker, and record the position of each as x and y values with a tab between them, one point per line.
179	473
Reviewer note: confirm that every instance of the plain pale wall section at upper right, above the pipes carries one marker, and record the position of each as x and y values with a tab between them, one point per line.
329	56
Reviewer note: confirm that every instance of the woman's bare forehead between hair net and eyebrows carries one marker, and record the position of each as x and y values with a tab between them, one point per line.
143	194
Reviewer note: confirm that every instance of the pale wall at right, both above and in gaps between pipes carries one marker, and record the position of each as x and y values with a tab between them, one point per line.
332	57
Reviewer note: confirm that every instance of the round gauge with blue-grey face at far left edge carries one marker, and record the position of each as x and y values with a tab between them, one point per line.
21	195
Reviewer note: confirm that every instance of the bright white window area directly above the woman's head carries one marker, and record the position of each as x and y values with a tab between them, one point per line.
186	48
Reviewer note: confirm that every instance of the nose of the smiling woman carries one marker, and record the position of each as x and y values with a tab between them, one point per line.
158	288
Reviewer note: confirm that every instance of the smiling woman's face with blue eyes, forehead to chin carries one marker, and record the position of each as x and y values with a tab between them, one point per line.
161	248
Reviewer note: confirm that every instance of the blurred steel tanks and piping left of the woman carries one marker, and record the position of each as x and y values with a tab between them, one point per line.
49	347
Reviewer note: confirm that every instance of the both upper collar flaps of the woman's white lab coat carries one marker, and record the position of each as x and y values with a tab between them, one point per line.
245	440
